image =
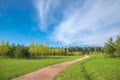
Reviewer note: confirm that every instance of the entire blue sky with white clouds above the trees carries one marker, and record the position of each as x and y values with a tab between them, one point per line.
59	22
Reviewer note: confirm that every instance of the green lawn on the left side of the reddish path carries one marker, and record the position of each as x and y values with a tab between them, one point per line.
10	68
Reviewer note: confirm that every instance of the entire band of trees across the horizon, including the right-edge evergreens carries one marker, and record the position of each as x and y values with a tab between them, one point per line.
110	49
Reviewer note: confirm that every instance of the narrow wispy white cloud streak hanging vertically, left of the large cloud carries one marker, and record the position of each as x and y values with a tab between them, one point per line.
44	7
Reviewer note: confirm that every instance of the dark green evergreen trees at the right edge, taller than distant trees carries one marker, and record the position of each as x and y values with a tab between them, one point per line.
112	48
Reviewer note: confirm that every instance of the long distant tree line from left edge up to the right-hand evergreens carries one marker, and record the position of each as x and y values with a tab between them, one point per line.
42	50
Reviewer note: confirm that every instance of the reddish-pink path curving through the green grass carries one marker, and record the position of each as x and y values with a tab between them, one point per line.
49	72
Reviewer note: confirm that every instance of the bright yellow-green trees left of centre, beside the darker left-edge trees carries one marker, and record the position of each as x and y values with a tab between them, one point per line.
38	49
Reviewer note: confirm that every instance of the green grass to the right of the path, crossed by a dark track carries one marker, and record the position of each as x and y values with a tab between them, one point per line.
97	67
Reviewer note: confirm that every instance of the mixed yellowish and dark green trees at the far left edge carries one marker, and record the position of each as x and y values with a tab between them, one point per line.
17	51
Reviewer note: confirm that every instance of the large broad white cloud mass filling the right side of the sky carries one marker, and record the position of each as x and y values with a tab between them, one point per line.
92	23
